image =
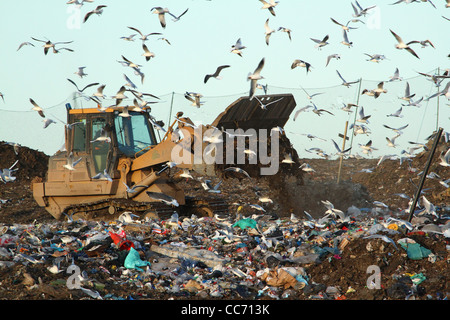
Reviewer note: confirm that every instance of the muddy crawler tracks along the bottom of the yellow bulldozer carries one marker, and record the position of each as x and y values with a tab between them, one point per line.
112	208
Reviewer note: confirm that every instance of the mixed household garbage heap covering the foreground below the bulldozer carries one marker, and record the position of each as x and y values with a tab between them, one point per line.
353	254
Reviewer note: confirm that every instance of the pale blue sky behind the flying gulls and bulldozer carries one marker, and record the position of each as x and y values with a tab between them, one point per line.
201	41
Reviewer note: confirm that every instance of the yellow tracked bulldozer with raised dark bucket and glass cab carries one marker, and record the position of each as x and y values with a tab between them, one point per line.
115	160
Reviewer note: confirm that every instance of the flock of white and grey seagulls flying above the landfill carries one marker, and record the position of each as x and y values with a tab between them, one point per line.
254	77
